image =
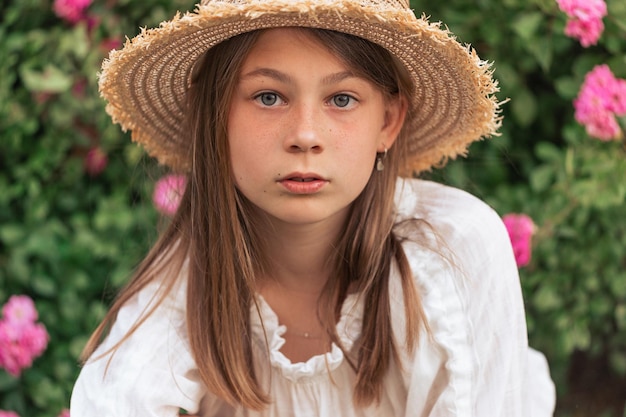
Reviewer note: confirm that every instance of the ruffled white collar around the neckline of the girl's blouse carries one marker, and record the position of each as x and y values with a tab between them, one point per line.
265	326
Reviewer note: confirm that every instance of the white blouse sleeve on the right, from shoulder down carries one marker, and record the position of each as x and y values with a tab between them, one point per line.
475	309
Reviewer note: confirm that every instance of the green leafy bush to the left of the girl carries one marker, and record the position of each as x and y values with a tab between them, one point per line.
68	239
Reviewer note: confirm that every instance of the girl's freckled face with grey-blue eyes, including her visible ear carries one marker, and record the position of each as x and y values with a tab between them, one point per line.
304	130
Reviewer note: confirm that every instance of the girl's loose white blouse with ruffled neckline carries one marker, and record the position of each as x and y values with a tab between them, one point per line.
475	362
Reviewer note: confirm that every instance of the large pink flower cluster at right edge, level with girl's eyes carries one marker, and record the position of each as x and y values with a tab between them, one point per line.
602	97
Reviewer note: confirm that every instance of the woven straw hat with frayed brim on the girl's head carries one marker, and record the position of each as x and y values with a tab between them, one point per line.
453	104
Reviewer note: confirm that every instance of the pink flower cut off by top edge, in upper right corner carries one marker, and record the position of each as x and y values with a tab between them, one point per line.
585	19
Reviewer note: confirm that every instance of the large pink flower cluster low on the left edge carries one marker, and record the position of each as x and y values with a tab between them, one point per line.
21	339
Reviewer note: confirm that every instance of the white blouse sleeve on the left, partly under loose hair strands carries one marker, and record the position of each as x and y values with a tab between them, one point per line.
152	373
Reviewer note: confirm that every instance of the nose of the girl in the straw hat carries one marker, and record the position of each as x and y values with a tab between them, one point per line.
305	130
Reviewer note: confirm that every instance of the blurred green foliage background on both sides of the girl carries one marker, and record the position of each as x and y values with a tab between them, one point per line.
69	239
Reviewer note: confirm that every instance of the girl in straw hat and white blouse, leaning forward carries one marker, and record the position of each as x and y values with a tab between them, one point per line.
300	275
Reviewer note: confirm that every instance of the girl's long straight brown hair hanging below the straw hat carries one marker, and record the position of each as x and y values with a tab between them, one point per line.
214	230
